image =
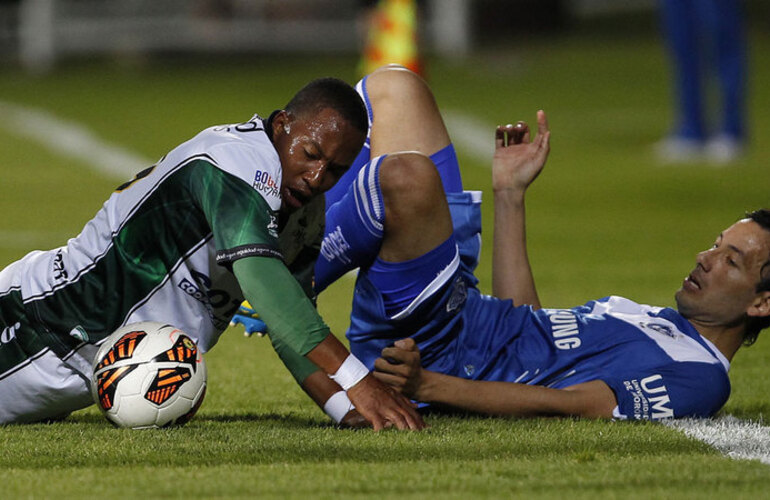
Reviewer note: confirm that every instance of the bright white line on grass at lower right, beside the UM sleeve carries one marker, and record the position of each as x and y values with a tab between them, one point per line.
735	438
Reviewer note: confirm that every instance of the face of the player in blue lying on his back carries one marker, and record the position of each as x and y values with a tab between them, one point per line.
721	290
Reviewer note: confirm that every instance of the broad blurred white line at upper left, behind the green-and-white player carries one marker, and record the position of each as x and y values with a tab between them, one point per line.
71	139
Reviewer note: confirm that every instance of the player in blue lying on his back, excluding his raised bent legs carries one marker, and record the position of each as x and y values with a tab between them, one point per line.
608	358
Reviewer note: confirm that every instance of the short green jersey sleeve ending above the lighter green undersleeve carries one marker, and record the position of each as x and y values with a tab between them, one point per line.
241	221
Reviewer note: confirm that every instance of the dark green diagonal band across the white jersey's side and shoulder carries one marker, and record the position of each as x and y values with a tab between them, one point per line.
144	253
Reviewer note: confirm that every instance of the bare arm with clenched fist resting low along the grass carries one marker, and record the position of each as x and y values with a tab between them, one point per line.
400	367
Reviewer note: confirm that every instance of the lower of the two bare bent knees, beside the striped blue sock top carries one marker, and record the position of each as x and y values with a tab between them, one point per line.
410	183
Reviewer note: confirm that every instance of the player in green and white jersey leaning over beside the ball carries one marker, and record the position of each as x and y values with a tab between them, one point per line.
224	216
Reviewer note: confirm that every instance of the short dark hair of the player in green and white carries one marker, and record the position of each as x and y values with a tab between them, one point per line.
330	93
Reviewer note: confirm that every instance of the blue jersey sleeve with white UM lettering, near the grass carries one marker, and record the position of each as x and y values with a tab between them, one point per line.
681	389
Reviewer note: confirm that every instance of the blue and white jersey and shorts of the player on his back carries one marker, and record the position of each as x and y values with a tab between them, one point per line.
654	361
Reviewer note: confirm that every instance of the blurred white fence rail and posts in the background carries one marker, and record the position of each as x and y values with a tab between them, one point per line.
50	29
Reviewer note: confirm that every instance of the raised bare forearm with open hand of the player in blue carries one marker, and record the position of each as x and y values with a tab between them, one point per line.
516	164
